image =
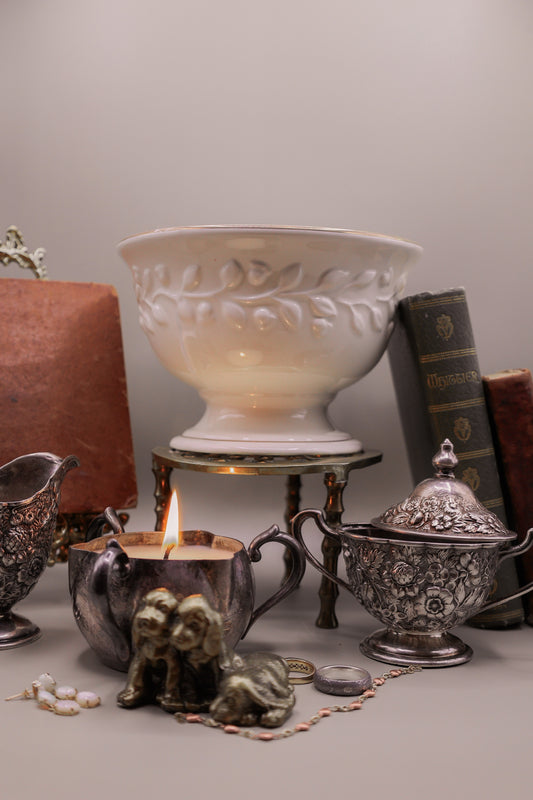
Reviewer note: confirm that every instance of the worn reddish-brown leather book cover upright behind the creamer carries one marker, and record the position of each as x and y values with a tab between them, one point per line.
63	387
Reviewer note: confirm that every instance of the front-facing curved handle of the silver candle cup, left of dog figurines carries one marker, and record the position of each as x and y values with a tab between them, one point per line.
111	565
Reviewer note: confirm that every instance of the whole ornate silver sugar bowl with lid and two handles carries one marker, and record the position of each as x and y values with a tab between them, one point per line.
423	567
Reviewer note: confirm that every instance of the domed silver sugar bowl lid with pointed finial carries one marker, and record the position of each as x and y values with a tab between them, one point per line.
443	509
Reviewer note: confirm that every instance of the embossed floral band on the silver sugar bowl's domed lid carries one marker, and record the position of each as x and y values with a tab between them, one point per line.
444	515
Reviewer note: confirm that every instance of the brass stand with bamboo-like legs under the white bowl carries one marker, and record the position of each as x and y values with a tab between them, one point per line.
336	470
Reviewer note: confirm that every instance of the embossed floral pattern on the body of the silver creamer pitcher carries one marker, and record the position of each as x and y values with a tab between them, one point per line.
27	531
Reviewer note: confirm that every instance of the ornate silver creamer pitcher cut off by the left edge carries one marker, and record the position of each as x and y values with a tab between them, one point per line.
29	500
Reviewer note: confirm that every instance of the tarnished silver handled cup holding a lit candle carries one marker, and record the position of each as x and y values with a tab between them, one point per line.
110	574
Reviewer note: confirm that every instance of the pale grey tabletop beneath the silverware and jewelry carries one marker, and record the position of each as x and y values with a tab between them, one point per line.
462	731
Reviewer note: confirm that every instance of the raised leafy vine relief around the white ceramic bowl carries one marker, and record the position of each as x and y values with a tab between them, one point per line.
257	294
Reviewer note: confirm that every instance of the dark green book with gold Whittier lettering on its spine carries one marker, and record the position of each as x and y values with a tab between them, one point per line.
437	380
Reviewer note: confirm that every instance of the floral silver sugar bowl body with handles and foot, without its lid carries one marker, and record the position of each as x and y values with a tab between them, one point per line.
418	590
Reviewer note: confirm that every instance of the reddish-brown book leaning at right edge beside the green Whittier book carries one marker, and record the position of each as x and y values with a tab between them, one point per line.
509	396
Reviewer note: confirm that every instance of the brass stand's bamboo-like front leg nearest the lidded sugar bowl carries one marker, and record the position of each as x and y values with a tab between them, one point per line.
329	591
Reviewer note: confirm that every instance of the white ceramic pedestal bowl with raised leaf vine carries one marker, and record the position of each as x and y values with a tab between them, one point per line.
268	324
